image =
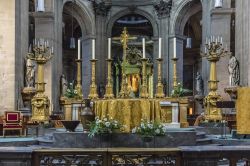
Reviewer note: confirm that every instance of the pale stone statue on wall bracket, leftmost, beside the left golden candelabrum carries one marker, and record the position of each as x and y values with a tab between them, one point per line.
30	73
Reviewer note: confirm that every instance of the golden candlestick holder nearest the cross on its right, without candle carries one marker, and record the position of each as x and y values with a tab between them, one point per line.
144	88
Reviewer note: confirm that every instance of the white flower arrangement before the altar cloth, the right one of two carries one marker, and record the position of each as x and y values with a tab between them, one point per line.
149	129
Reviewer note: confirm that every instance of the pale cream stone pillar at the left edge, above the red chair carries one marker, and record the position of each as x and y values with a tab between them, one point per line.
7	51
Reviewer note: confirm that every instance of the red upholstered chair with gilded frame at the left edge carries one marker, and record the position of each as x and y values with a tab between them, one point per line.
12	121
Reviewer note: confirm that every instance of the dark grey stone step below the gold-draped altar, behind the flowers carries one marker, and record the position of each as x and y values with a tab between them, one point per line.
173	138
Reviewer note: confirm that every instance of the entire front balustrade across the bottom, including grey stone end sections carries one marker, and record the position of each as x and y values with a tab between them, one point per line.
183	156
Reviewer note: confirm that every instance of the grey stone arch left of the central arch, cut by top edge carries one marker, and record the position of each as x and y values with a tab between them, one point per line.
83	16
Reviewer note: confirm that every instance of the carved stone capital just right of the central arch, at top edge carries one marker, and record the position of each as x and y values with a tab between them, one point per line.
163	8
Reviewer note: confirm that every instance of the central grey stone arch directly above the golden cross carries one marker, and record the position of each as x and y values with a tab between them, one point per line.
137	11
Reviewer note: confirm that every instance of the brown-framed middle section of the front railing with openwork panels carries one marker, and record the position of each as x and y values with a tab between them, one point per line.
107	157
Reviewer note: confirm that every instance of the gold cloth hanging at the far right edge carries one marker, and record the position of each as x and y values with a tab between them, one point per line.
243	113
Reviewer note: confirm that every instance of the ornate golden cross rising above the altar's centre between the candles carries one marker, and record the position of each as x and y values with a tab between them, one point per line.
124	40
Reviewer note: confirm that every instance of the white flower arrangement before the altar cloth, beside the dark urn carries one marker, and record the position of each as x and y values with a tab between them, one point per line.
104	125
